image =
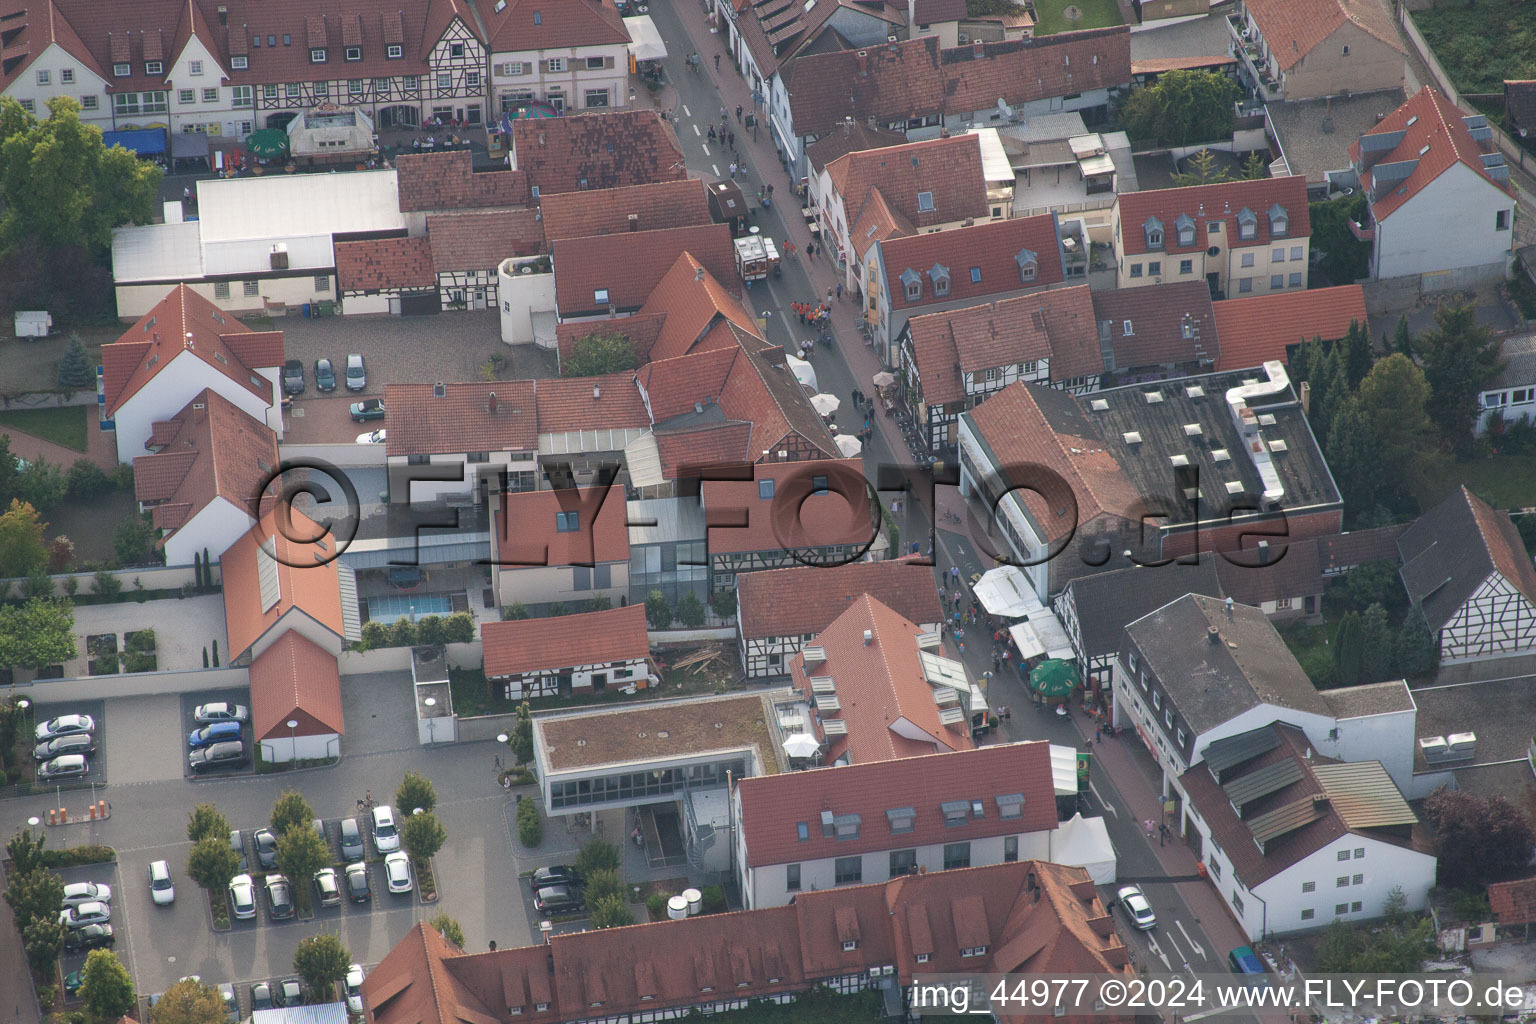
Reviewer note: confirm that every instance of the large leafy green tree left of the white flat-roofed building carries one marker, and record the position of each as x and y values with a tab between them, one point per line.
62	188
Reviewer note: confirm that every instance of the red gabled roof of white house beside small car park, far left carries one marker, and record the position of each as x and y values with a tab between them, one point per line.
185	325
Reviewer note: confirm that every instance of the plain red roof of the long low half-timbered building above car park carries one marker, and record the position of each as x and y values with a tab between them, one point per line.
538	646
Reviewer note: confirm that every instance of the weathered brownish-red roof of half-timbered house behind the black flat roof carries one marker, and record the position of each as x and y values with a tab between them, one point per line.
1058	326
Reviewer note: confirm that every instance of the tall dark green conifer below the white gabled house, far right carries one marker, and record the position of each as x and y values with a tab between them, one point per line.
1462	358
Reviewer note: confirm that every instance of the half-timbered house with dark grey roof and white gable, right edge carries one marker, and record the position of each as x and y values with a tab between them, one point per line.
1466	566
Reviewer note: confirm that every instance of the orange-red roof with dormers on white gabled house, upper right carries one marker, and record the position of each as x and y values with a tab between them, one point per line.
1435	139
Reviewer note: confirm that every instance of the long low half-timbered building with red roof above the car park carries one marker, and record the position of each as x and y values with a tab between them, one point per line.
577	655
